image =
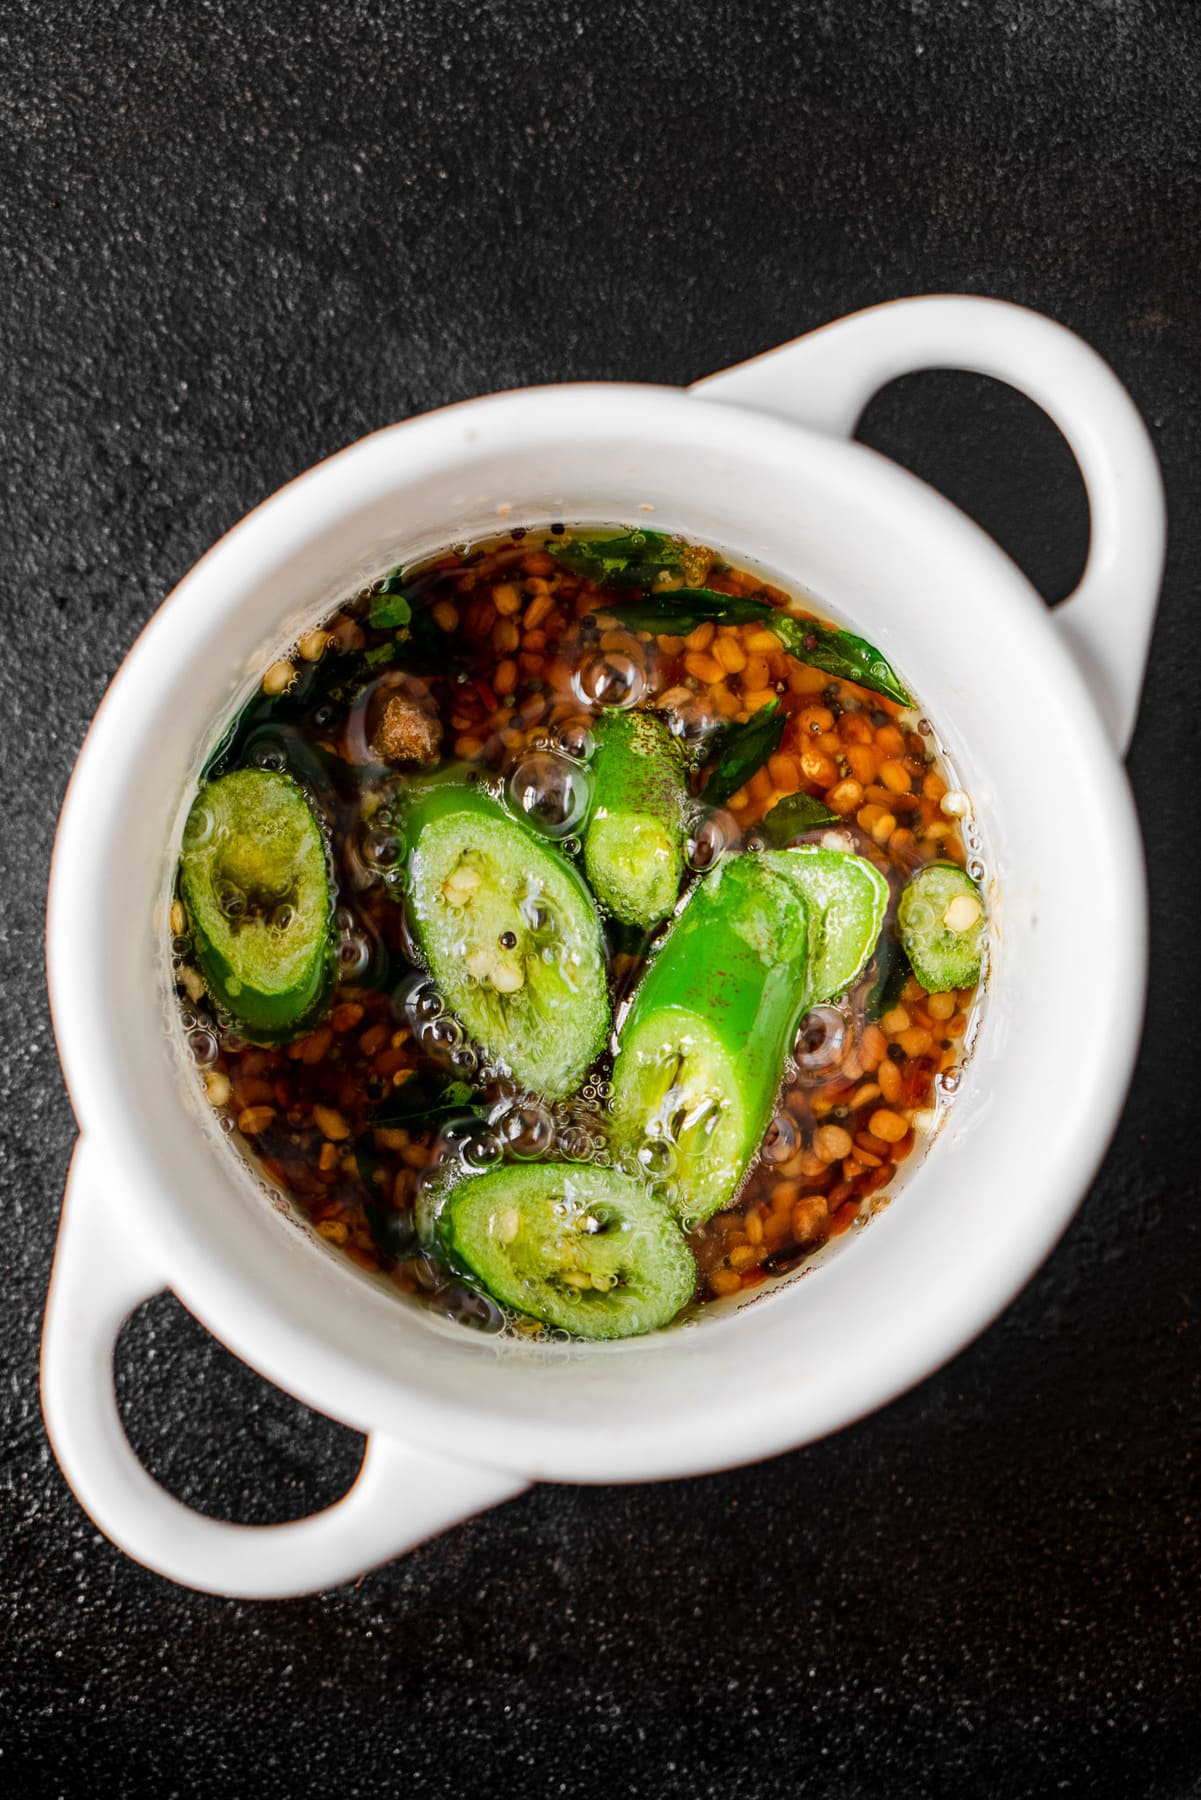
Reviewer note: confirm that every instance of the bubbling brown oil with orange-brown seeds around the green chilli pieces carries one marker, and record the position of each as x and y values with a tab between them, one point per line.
500	656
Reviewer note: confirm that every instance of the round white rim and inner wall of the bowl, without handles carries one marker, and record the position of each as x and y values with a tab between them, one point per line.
977	647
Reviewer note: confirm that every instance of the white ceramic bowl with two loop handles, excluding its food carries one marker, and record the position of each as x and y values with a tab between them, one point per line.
1034	710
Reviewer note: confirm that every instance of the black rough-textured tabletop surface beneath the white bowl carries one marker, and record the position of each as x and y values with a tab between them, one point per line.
233	242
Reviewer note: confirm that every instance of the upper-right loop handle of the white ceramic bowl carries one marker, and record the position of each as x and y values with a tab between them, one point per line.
829	377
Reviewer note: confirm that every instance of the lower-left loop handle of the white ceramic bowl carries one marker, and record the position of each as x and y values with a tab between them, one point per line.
102	1272
